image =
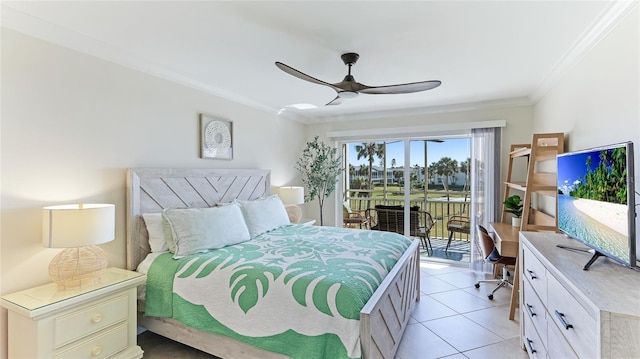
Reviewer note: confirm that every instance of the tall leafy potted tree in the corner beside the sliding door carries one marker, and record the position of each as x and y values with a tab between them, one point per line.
319	168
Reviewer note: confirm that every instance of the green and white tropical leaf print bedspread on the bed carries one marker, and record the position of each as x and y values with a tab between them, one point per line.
297	290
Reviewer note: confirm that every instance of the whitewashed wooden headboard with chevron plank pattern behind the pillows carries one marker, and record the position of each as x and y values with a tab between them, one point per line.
150	190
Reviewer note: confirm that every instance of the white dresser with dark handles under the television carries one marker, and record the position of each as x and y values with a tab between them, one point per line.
567	312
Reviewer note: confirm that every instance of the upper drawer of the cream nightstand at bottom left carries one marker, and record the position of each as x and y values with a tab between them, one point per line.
90	319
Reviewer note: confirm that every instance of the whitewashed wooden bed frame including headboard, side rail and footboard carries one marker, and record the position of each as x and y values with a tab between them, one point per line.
382	320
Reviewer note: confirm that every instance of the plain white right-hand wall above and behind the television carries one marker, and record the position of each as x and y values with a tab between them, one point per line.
598	101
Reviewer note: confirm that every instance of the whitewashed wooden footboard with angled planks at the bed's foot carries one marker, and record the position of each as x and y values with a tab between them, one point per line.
384	318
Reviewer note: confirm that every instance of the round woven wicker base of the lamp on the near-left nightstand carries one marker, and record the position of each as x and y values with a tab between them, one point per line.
77	267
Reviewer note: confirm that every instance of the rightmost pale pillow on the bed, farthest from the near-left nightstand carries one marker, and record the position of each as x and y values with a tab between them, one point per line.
264	214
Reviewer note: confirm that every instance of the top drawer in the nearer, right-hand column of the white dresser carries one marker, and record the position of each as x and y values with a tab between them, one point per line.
572	320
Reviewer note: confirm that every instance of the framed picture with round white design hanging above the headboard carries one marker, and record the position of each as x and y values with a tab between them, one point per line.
216	138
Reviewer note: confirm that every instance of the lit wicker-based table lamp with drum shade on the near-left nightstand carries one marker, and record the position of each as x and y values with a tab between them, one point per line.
78	228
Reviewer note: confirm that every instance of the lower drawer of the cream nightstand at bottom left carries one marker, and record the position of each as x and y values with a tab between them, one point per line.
102	345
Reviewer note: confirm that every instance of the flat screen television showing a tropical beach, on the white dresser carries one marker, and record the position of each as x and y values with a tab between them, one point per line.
596	201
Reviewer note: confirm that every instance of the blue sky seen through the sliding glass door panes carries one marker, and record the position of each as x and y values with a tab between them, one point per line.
457	148
